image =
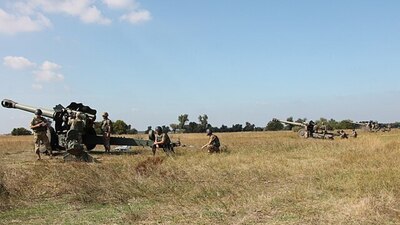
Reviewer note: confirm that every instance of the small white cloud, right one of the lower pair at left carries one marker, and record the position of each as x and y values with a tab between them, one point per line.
48	72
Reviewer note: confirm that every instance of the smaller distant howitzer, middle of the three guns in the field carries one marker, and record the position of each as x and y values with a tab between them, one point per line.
309	130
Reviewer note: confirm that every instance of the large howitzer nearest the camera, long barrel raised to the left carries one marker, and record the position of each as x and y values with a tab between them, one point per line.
61	115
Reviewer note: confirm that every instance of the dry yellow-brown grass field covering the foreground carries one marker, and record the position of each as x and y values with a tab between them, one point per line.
261	178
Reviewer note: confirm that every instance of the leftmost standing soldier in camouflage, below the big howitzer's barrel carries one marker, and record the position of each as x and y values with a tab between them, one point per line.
39	127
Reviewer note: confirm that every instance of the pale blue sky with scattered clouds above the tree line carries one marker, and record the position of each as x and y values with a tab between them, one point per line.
146	61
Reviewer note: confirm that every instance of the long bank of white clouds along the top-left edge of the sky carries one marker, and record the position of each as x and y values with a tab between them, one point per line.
30	15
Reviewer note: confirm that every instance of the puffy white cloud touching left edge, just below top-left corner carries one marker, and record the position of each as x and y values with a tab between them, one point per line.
11	24
